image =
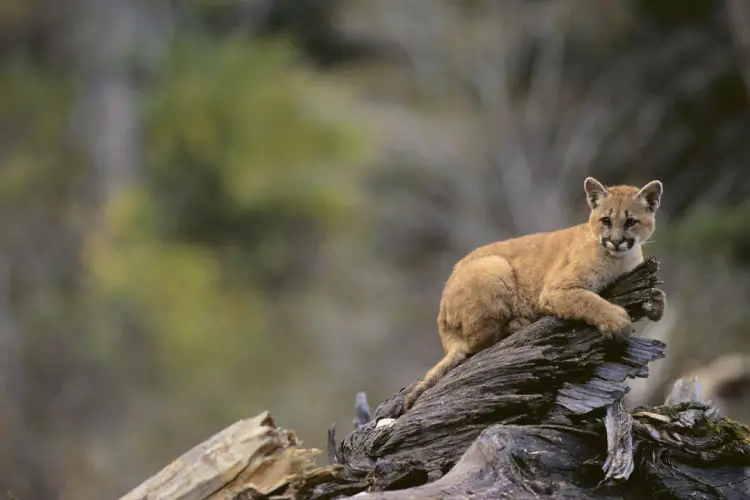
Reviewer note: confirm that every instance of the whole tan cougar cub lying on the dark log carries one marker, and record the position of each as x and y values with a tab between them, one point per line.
499	288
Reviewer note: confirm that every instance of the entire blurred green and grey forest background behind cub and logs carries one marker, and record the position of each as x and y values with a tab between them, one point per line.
209	208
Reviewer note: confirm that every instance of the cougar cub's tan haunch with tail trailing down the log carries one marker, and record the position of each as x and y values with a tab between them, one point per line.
474	314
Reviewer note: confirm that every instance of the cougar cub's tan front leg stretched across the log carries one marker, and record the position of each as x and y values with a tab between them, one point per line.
581	304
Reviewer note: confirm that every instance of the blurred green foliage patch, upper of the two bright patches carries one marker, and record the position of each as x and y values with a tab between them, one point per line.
239	113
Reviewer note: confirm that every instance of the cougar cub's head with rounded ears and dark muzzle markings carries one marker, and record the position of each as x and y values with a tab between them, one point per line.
622	217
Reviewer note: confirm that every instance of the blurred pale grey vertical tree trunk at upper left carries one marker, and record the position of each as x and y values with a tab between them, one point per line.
114	41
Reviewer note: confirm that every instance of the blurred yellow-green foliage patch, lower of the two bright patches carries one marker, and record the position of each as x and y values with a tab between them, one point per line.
174	294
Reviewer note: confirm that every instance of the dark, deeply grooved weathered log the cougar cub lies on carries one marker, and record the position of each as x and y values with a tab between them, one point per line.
552	371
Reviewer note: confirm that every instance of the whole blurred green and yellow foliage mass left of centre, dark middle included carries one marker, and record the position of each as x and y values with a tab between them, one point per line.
240	164
